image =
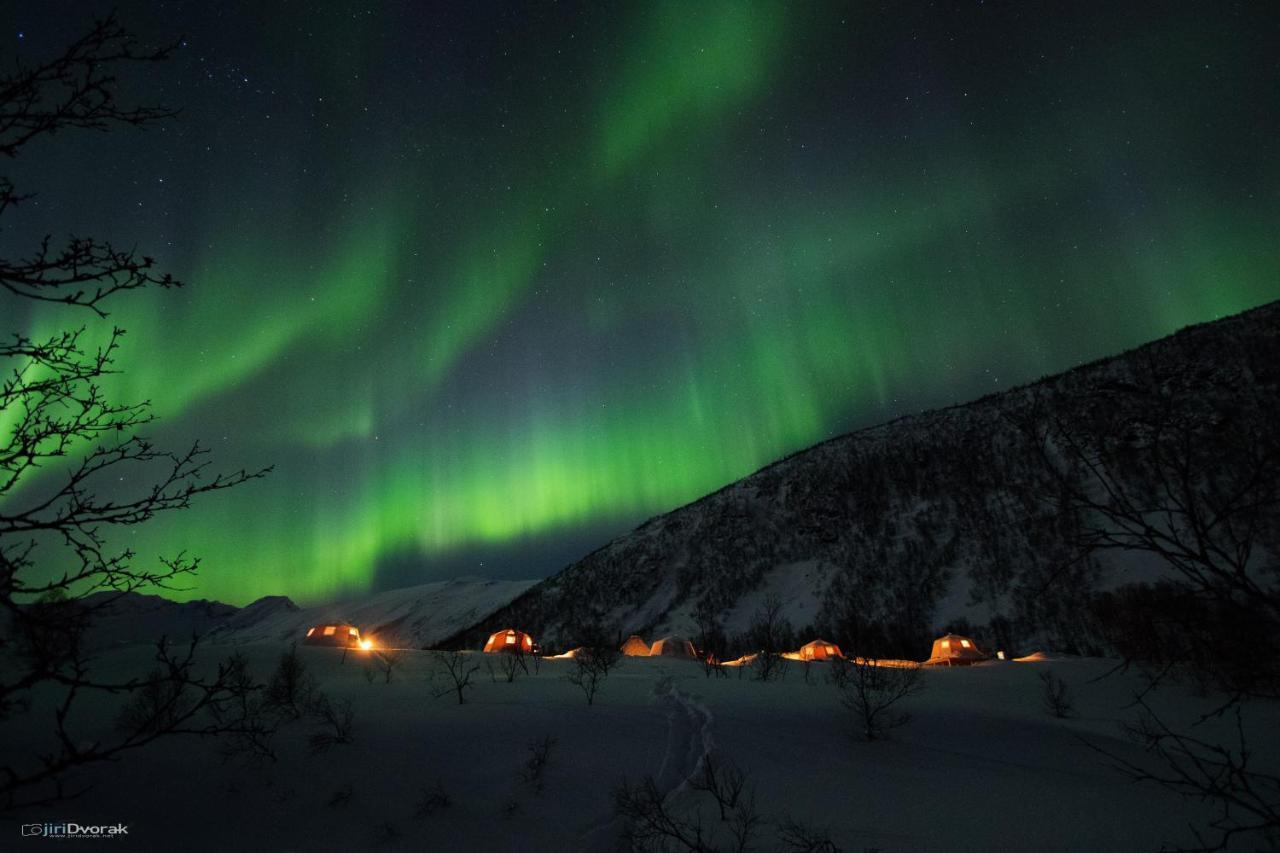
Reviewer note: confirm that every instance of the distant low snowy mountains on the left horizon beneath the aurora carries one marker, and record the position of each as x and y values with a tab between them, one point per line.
410	618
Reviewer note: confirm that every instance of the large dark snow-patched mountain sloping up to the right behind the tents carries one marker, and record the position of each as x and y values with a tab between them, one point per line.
921	522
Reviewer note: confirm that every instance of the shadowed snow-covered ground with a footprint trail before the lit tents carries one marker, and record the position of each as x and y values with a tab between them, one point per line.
980	768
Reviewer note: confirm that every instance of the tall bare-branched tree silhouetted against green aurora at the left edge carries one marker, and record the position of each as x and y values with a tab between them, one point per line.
53	409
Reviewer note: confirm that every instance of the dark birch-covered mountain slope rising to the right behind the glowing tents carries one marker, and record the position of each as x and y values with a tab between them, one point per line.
598	589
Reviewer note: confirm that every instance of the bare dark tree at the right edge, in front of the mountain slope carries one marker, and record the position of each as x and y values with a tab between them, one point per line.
1188	473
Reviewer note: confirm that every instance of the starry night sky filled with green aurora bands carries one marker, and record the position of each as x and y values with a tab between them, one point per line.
490	285
